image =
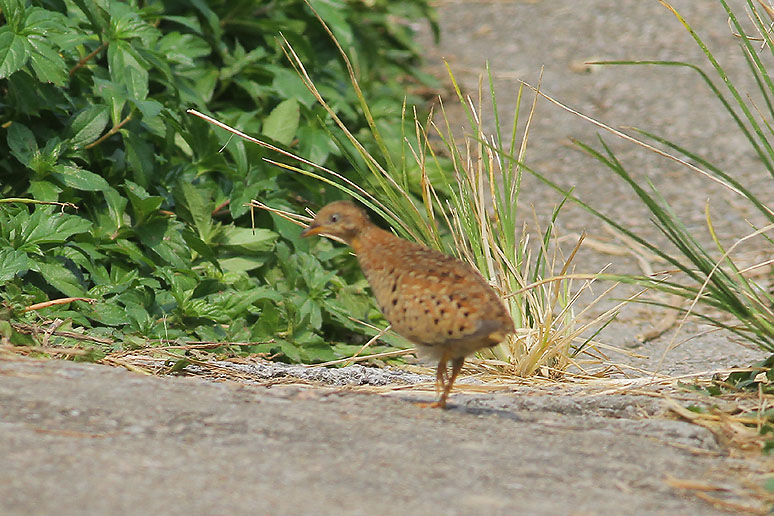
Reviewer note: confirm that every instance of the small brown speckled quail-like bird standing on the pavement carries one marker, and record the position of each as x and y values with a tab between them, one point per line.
442	305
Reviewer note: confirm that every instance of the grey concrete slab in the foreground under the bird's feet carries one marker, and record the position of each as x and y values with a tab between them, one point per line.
88	439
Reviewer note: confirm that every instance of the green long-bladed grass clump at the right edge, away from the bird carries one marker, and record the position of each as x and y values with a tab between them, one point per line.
716	286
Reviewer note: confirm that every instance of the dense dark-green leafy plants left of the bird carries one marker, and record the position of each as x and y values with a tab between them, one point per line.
146	236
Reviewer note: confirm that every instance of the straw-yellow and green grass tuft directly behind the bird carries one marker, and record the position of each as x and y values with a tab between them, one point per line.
462	197
